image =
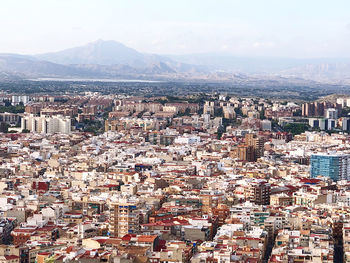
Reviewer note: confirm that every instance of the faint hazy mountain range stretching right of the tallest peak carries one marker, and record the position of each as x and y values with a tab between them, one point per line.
335	70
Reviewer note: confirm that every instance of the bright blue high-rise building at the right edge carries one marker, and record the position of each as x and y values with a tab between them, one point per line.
333	166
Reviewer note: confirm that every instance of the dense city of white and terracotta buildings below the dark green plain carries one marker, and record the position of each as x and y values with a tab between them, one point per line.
196	178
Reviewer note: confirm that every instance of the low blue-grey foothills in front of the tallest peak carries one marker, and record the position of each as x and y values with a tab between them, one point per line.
13	67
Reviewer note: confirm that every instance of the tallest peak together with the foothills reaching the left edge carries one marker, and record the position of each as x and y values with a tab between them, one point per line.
100	59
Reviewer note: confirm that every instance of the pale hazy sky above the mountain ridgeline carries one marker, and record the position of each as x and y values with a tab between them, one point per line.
288	28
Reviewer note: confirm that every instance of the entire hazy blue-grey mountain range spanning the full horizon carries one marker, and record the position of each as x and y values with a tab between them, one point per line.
111	59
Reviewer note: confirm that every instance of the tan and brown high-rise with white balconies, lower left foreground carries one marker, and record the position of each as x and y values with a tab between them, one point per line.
124	218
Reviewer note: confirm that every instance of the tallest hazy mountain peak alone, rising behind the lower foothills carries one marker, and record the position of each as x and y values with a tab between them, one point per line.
111	55
